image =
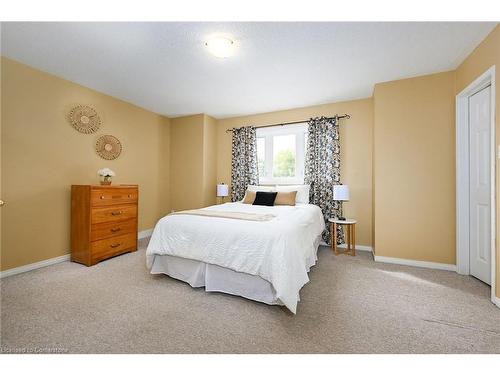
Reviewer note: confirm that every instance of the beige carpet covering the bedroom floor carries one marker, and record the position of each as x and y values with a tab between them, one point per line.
351	305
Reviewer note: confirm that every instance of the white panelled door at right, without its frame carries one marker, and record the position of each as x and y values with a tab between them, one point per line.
480	203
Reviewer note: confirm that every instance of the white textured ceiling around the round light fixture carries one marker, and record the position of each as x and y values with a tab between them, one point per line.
165	67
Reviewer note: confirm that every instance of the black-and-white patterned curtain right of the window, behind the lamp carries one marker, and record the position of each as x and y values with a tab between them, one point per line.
322	169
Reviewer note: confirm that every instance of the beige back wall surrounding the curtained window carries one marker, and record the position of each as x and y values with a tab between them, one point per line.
356	156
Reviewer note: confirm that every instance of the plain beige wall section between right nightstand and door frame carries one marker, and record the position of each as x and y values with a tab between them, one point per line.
414	163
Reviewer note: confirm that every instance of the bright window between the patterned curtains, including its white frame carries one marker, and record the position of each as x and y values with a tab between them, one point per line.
281	154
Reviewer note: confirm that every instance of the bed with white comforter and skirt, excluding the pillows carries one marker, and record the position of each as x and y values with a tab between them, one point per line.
266	260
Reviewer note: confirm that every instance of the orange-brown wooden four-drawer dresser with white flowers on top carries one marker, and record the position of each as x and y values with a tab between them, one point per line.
103	221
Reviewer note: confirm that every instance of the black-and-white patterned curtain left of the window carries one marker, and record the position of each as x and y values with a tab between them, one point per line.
243	162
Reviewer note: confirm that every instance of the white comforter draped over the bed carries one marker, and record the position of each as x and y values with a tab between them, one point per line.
275	250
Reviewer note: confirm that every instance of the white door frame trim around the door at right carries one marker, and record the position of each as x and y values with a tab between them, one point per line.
462	173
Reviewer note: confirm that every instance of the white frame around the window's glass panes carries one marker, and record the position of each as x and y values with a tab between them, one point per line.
299	130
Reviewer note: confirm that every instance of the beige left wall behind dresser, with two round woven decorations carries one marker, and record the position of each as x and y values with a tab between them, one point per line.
42	155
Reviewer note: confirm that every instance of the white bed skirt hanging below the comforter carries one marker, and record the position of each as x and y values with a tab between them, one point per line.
219	279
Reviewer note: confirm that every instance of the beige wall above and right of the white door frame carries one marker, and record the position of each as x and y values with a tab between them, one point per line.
481	59
